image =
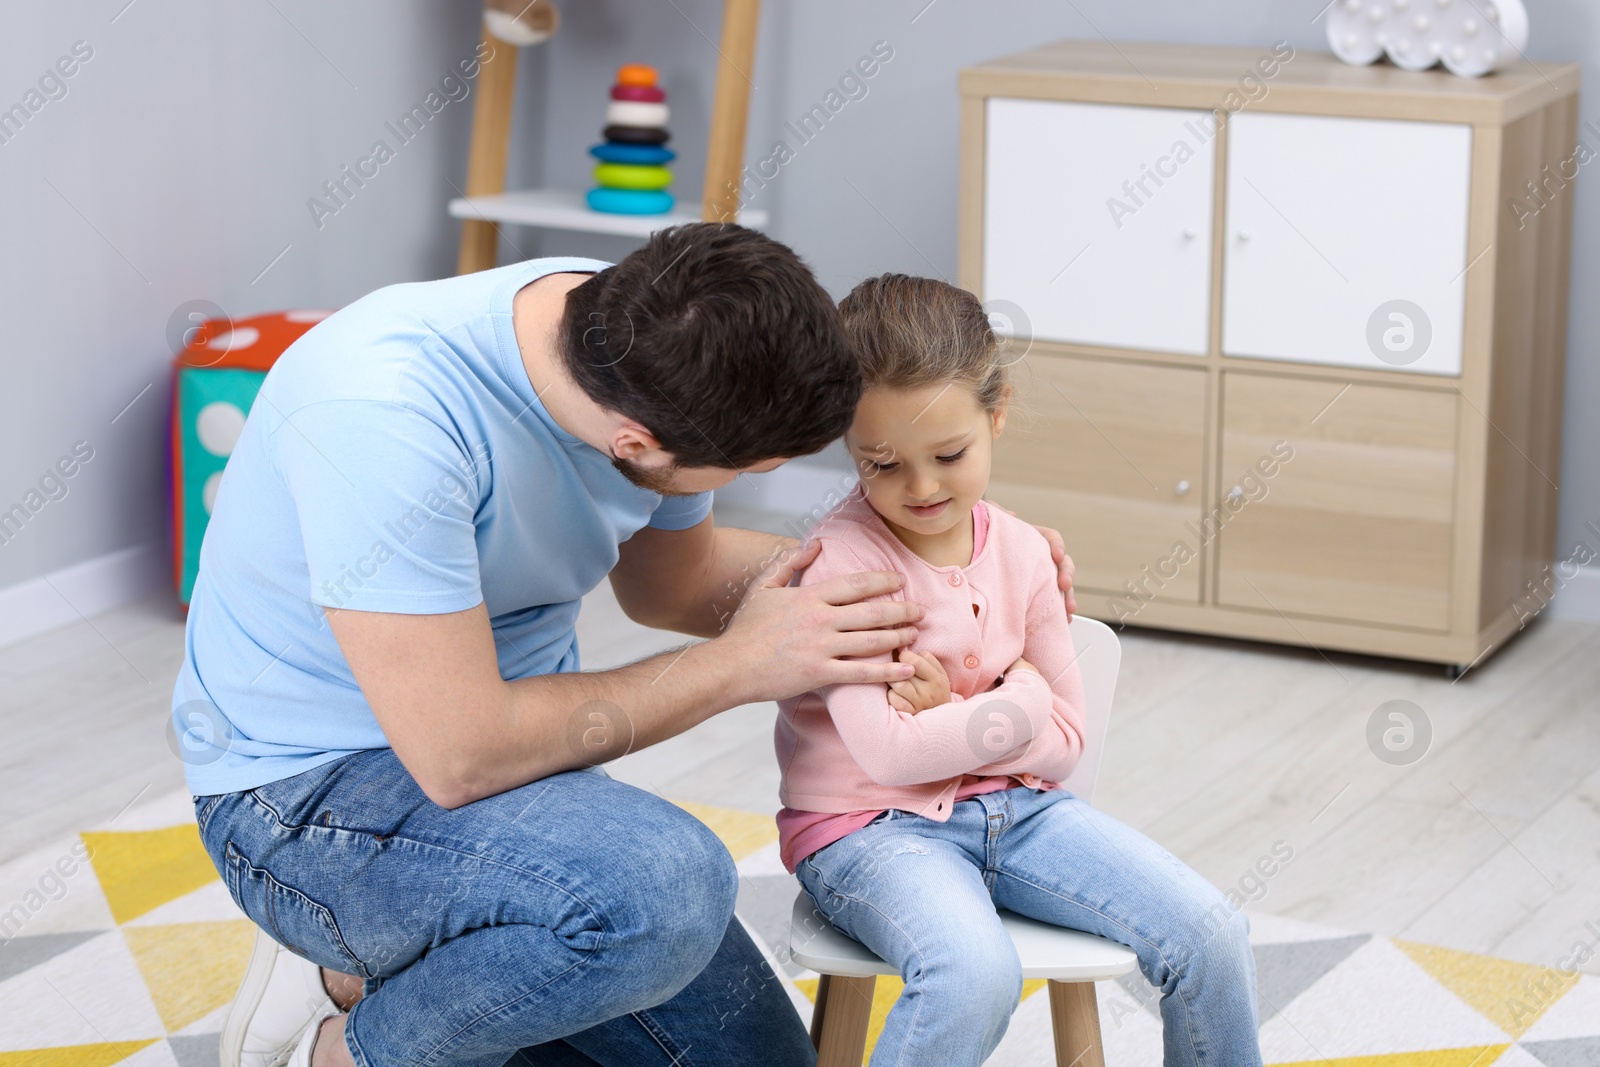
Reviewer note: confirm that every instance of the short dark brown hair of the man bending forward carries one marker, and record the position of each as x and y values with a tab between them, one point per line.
721	343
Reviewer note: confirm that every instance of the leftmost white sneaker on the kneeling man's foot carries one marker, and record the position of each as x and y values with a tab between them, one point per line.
281	996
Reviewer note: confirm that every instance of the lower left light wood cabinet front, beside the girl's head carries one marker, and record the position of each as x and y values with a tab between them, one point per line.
1111	455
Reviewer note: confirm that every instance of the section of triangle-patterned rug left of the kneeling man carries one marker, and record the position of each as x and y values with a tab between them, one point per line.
119	946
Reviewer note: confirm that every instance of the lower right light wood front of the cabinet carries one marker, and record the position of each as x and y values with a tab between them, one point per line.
1359	524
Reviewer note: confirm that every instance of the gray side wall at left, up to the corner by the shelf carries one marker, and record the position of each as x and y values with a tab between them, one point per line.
178	167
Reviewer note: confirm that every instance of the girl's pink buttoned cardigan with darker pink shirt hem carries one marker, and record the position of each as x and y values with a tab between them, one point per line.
847	756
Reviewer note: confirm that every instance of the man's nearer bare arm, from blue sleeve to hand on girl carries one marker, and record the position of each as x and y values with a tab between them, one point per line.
465	733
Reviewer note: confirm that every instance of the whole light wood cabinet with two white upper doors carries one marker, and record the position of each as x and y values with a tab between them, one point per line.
1295	335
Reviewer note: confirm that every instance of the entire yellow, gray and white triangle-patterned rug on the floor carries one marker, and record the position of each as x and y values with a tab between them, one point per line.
122	946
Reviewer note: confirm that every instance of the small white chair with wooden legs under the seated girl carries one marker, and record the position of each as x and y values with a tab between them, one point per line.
1070	959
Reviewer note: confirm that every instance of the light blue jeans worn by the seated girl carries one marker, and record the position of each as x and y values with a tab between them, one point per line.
922	895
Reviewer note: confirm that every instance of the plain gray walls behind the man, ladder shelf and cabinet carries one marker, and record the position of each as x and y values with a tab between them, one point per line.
196	135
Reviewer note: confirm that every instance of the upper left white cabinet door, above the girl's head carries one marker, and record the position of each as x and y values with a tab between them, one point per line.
1098	222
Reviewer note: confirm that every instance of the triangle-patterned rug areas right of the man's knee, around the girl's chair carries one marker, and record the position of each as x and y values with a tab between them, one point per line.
1327	997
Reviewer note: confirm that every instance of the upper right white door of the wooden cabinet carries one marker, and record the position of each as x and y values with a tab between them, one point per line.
1346	241
